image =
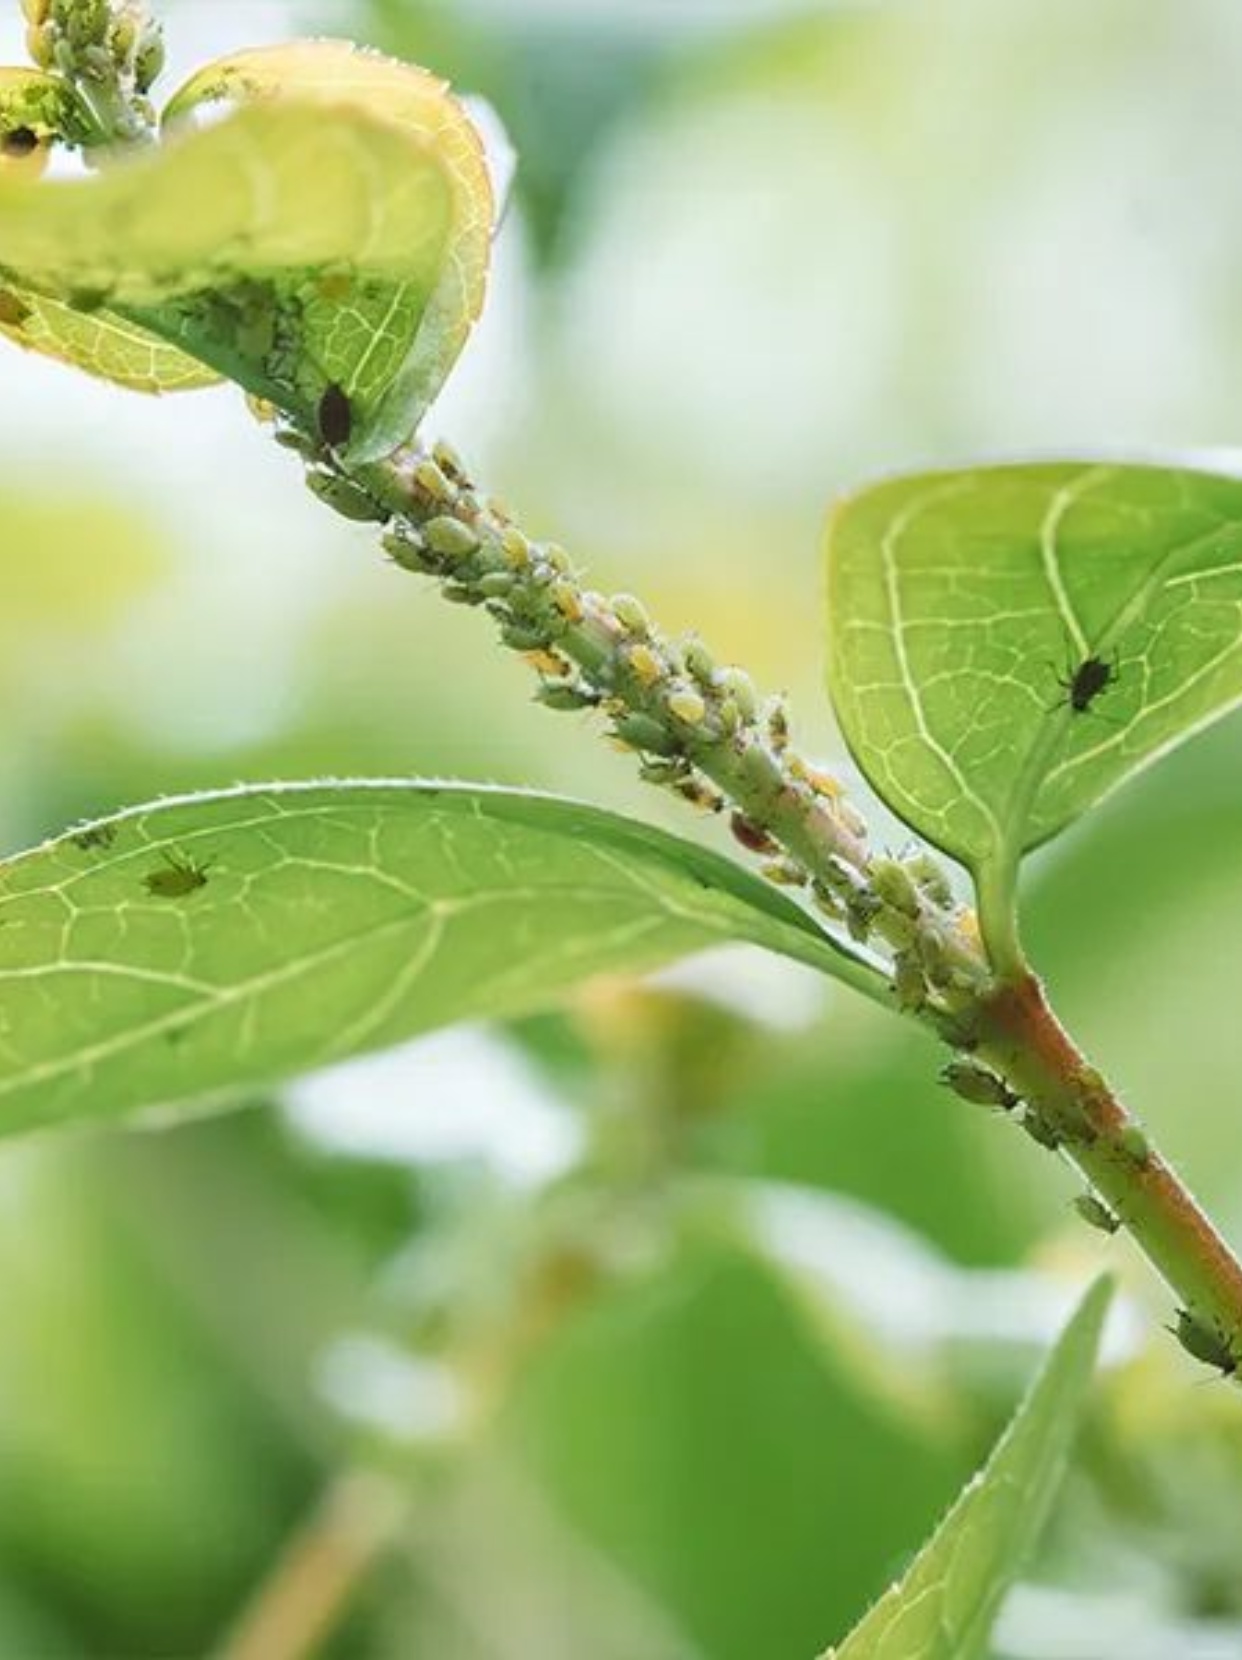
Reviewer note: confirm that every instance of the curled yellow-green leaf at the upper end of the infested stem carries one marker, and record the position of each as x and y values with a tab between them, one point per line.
341	233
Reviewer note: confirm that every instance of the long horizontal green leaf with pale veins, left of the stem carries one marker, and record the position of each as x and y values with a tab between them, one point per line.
188	952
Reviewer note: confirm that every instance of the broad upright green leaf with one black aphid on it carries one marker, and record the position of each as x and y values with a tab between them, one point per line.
962	602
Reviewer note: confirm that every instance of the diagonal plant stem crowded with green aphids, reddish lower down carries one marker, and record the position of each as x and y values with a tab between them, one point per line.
703	735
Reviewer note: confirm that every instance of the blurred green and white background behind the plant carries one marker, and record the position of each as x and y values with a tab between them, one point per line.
668	1324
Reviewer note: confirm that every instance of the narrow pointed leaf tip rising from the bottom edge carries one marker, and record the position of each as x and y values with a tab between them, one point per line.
947	1601
